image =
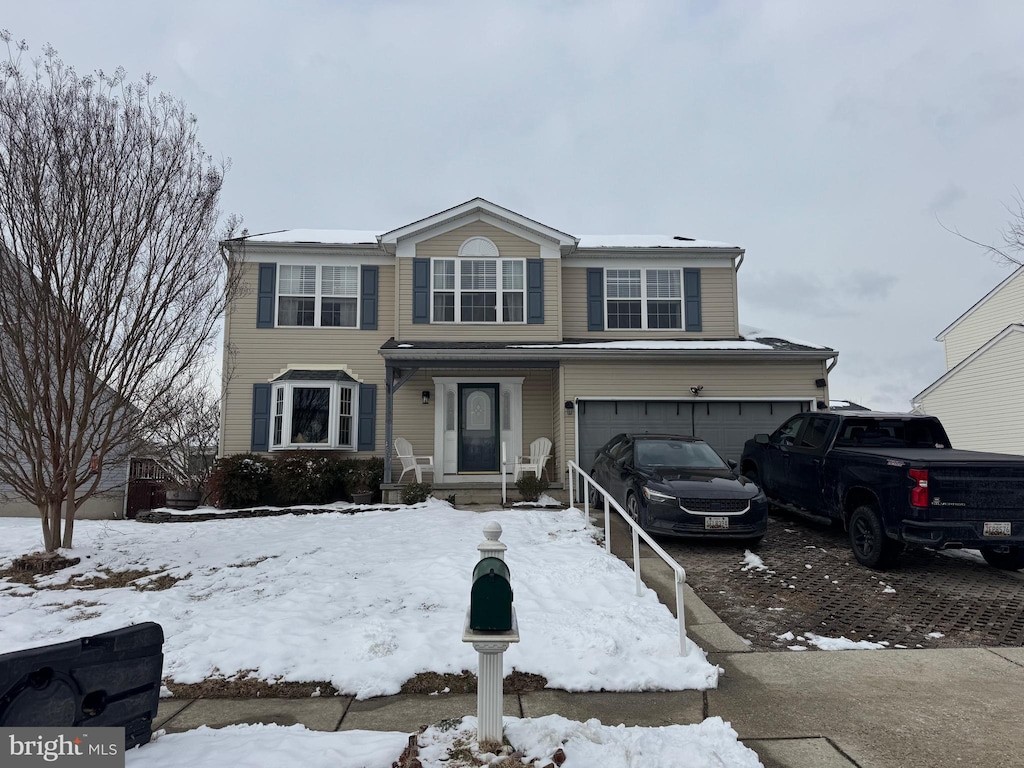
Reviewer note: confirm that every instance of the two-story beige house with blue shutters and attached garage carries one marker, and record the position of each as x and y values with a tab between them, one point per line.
478	328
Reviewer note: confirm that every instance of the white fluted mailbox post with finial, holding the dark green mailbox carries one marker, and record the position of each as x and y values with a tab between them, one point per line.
491	648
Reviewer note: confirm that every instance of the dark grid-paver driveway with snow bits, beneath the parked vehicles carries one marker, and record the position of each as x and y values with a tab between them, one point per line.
814	584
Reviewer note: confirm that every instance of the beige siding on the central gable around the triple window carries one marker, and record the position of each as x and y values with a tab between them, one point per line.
509	246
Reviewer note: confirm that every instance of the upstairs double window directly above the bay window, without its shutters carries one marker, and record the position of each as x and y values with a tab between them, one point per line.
326	296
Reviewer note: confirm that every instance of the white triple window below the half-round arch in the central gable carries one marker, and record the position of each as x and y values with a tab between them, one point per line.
479	290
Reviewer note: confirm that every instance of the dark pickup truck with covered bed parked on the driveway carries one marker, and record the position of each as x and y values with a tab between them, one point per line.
892	481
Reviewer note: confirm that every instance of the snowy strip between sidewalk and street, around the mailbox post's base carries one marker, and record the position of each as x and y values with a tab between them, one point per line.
709	745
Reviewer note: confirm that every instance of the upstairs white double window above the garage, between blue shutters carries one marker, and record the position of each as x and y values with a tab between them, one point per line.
645	300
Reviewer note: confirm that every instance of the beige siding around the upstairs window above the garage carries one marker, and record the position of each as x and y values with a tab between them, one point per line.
718	308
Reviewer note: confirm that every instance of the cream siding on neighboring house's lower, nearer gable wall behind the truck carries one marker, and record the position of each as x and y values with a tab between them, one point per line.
983	405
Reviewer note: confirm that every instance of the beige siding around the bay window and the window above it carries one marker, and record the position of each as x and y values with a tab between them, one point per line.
262	354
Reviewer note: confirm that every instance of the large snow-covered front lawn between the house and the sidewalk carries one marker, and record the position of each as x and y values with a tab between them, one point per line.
365	601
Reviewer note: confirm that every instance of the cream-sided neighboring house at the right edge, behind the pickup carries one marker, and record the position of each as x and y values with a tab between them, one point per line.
980	399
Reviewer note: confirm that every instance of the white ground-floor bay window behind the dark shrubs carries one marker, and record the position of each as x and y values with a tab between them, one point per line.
314	414
